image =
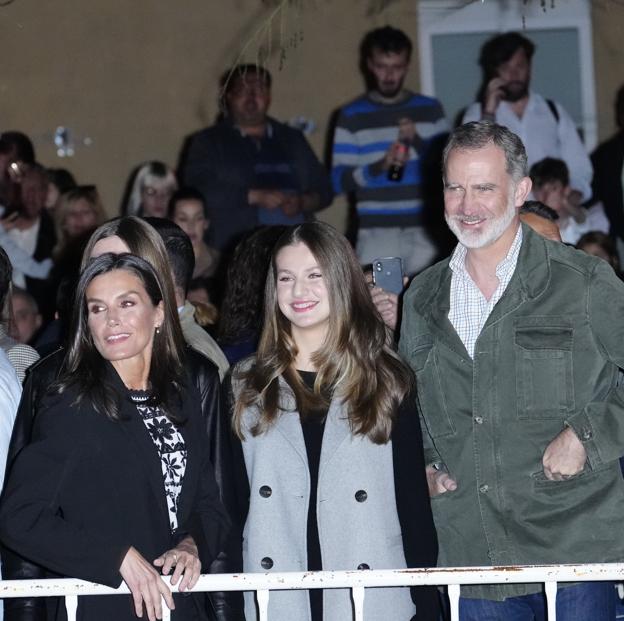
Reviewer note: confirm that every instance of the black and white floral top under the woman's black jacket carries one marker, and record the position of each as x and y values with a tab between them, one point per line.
171	448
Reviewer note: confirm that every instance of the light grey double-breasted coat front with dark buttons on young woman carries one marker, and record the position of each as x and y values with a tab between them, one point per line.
356	530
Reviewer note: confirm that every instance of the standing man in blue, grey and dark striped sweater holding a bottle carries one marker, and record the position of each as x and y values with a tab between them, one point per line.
381	141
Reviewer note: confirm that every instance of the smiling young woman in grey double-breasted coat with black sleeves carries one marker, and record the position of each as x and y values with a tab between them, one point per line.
330	437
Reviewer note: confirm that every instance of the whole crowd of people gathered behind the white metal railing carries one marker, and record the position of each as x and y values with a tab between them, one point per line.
214	381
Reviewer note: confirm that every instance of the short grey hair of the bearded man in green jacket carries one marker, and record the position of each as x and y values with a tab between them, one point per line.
479	134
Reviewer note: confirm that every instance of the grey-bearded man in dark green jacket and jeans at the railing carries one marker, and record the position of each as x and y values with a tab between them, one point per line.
517	343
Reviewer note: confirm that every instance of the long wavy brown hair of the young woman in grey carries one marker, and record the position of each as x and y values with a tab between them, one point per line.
355	363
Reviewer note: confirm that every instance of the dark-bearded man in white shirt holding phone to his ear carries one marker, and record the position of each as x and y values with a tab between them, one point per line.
543	125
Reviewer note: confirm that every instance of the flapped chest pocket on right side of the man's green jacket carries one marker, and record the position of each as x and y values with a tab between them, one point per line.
544	373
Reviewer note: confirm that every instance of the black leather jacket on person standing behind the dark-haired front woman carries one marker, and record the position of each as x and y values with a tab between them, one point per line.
226	606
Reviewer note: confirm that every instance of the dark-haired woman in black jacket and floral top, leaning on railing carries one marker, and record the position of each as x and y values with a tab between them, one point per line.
116	483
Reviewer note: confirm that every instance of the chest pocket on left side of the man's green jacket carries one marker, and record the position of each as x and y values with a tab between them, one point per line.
431	400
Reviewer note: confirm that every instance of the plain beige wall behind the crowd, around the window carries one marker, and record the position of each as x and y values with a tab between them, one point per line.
136	76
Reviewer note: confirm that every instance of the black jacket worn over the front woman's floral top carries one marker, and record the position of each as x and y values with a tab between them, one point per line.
87	488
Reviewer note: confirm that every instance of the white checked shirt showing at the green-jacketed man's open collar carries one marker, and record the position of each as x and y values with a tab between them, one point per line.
469	309
